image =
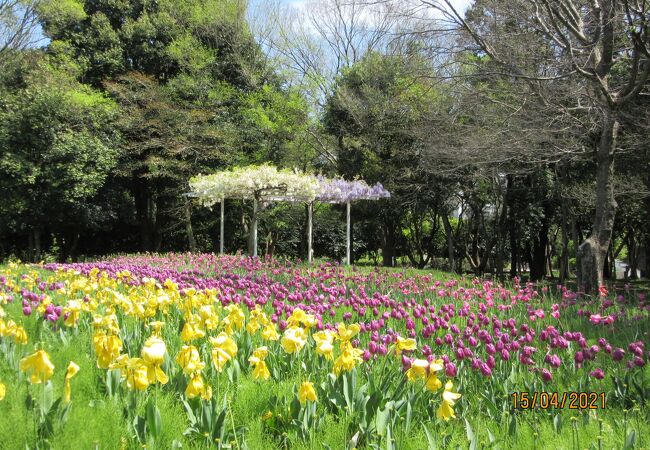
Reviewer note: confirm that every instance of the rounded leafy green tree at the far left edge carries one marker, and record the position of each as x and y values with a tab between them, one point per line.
57	139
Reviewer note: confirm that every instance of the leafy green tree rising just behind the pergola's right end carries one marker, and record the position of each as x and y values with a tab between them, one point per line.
374	111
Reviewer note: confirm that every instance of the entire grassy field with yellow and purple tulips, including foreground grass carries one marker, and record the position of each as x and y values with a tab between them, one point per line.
194	351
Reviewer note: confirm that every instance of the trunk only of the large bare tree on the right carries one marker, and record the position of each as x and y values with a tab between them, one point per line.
591	253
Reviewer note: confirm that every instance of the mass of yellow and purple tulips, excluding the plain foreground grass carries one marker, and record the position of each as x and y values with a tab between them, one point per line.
381	350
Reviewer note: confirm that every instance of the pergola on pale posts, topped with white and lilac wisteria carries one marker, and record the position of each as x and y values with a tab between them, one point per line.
266	183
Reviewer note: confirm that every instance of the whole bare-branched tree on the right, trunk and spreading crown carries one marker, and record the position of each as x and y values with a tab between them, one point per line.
603	46
